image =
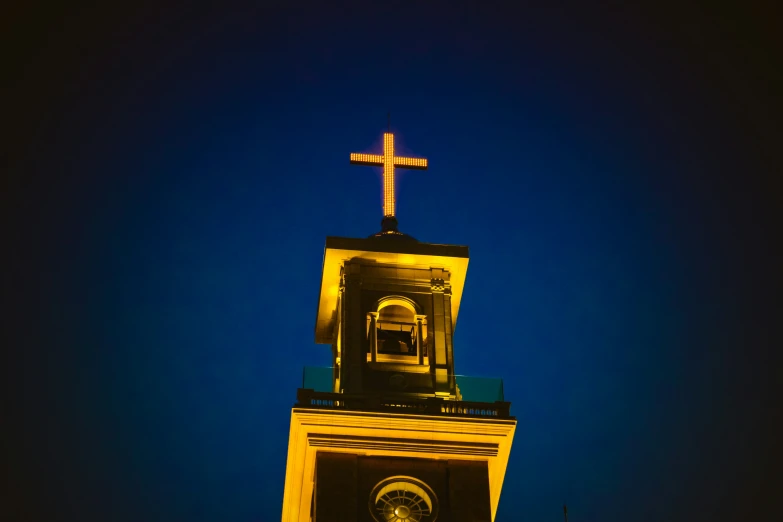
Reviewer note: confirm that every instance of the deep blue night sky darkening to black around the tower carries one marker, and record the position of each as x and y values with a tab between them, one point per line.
174	173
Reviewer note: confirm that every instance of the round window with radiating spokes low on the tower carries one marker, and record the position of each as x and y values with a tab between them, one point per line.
403	499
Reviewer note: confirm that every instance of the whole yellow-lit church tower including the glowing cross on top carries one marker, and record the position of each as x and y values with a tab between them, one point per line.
390	433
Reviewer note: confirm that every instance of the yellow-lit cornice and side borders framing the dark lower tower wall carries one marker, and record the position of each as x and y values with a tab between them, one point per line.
384	434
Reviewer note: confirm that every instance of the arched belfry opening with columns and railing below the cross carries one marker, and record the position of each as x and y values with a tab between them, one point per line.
396	331
